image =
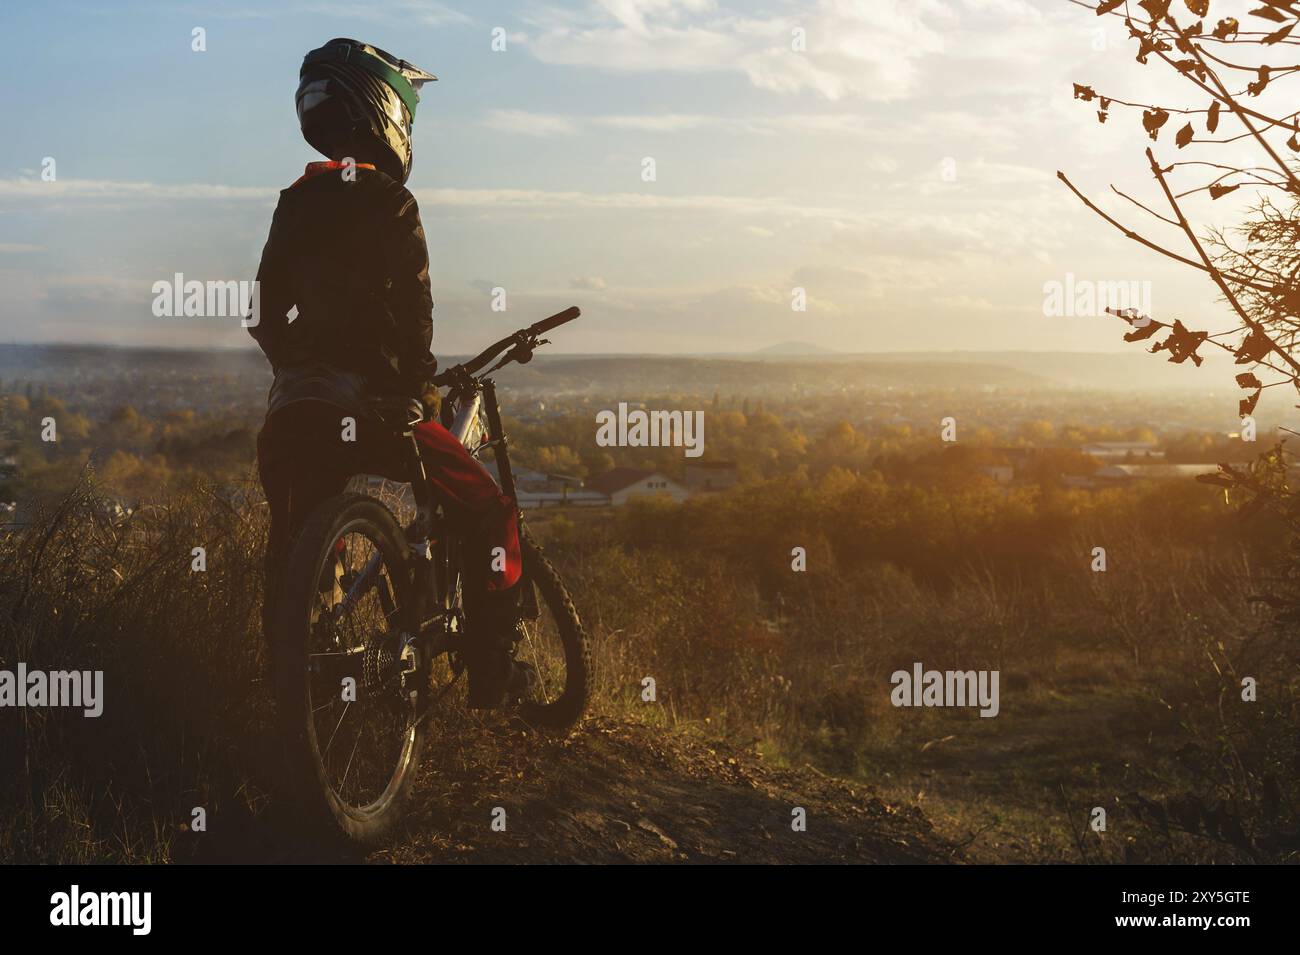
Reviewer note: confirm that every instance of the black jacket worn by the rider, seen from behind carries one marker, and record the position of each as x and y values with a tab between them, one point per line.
352	257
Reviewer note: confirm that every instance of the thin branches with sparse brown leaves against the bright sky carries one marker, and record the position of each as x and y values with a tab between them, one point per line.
1240	97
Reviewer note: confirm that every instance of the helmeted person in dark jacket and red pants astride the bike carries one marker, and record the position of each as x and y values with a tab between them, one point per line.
348	251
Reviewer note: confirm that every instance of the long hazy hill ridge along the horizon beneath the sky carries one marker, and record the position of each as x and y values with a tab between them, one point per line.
129	375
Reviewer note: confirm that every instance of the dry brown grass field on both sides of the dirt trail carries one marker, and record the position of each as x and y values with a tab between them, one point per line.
1119	691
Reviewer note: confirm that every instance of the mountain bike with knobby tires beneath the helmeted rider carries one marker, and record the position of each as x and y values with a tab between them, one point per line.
371	626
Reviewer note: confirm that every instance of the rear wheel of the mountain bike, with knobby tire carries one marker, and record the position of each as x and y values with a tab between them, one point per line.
349	681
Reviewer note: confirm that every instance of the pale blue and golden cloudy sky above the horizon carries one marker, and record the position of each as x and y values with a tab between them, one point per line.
900	168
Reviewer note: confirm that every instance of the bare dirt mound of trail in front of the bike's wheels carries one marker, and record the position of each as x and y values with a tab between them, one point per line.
619	792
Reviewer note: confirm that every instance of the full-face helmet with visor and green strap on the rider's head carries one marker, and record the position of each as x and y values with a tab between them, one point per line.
359	101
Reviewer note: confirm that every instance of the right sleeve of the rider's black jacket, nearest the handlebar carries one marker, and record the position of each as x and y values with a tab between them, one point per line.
410	297
